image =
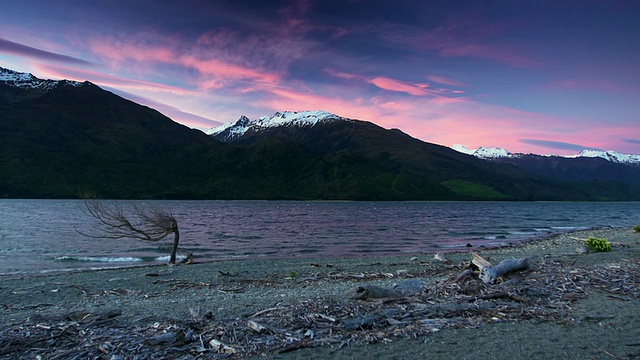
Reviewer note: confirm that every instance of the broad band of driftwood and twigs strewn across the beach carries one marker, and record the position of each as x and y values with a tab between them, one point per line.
415	306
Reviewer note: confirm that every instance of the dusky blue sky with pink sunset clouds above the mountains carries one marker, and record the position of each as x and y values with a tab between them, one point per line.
542	76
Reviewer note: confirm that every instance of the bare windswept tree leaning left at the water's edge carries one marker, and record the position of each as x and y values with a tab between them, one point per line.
114	222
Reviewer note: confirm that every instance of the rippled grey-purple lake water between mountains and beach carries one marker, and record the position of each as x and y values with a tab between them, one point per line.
40	235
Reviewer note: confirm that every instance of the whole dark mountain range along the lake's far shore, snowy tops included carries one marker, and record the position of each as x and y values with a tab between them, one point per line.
59	139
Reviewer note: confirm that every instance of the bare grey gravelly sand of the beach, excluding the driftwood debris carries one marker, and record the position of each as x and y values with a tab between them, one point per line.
601	320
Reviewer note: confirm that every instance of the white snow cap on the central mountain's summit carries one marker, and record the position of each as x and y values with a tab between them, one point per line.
234	130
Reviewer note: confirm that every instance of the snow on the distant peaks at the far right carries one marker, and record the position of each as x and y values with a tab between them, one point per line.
493	153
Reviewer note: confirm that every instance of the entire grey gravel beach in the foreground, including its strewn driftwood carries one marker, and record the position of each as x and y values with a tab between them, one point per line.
568	304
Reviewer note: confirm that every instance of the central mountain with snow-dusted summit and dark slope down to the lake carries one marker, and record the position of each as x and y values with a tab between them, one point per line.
406	167
